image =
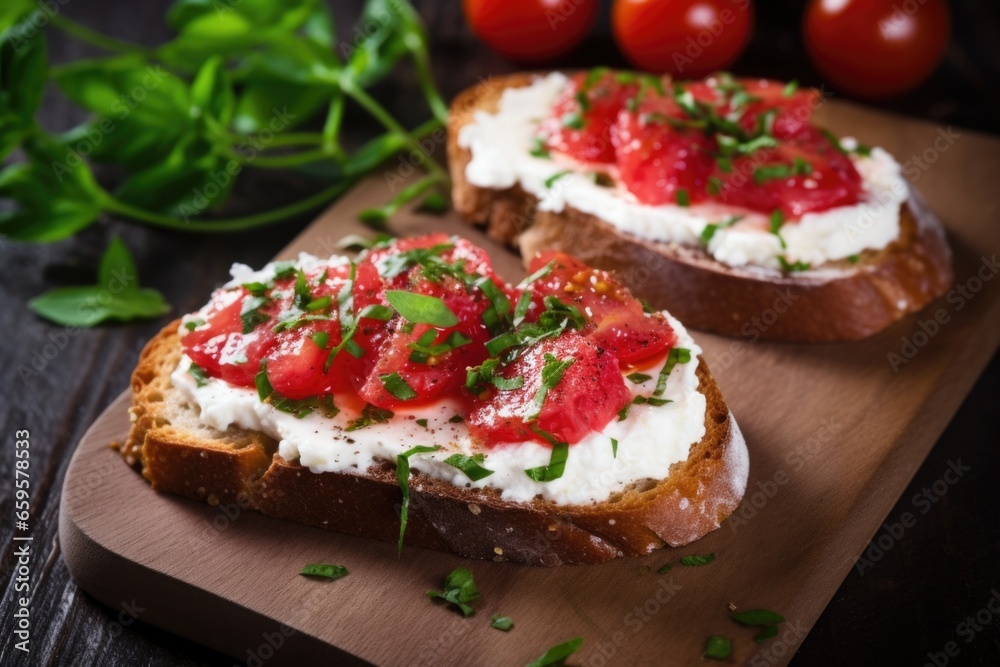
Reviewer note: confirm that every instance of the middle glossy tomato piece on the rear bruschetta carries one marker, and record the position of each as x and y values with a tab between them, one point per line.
659	163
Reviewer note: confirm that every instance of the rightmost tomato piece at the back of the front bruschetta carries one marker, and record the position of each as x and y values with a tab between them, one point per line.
615	319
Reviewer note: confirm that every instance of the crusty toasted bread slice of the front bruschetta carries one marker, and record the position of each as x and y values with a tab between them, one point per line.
178	454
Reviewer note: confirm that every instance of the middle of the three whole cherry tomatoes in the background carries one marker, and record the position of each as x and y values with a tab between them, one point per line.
689	38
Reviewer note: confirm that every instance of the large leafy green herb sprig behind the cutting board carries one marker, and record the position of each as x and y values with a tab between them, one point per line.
230	91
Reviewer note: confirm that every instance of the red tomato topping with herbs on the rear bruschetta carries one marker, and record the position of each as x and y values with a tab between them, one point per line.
743	142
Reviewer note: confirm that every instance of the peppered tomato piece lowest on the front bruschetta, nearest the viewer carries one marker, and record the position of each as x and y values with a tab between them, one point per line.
587	397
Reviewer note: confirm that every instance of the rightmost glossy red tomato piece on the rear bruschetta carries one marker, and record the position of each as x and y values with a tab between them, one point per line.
812	175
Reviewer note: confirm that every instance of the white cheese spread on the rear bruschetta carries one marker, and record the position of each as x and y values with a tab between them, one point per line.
500	144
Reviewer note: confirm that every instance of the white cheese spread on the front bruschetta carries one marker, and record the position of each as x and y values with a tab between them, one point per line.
650	439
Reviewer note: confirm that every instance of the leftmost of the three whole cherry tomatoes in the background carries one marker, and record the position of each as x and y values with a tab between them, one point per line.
531	30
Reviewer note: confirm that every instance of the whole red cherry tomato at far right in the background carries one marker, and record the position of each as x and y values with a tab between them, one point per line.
876	48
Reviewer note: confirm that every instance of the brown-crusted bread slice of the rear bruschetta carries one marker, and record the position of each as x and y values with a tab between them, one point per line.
838	301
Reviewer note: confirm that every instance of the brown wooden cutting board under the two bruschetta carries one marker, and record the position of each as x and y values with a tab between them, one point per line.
835	433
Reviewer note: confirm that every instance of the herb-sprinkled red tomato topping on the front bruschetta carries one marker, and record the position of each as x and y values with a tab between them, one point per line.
341	330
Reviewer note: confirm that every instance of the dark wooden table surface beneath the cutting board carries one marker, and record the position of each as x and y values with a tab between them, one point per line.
901	606
